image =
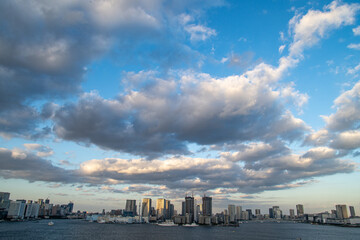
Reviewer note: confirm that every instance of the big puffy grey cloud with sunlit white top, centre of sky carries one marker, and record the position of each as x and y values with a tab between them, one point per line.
159	119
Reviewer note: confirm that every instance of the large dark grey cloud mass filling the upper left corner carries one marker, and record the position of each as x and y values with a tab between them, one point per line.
45	47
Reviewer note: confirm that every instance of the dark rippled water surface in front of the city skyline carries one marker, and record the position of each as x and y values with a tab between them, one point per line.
80	229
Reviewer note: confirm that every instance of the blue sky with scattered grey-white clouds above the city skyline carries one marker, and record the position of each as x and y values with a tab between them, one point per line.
253	103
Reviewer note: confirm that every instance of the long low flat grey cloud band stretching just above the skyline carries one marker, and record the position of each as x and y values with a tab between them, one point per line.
174	176
